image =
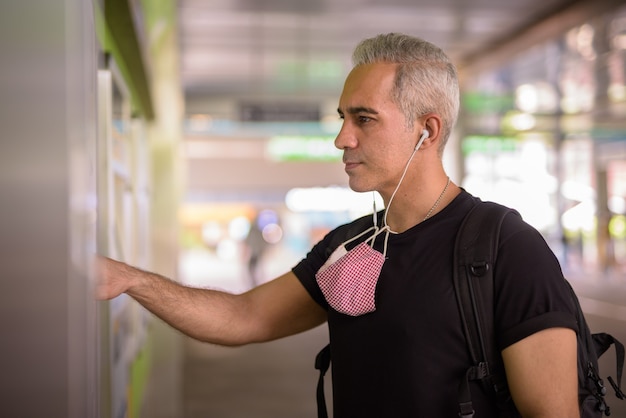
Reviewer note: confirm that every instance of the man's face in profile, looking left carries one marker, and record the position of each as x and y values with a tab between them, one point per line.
374	137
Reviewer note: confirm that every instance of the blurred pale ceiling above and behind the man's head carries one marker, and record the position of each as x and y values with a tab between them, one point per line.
268	49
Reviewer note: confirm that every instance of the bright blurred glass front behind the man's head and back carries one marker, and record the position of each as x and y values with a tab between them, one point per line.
546	134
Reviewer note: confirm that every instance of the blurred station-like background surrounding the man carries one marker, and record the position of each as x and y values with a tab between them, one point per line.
195	139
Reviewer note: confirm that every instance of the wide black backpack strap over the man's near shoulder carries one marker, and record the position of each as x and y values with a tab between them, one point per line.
475	253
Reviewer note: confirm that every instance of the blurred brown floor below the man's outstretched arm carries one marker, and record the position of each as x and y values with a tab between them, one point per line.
271	380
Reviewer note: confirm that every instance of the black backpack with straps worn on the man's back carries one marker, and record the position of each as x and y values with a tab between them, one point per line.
474	254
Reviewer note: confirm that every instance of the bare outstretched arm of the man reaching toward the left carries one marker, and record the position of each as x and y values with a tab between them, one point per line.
275	309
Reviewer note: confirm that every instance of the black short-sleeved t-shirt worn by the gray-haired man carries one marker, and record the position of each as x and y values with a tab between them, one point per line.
406	358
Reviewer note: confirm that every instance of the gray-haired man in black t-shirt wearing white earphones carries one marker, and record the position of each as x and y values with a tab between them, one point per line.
398	349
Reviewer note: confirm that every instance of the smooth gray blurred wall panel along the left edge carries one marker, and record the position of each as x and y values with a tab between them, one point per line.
47	215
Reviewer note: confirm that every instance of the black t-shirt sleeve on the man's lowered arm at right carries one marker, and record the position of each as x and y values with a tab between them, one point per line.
531	293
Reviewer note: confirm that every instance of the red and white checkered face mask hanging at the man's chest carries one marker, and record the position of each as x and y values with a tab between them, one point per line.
348	278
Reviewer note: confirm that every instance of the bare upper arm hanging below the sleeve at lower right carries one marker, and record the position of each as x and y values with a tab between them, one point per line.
542	373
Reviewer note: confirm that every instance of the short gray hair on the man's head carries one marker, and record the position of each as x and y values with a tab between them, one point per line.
426	80
